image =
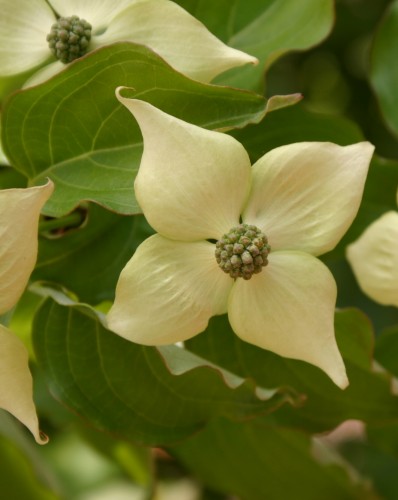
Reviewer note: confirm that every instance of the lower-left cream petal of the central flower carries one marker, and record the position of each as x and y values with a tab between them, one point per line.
168	292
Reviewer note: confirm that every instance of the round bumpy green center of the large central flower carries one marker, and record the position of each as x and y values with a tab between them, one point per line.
243	251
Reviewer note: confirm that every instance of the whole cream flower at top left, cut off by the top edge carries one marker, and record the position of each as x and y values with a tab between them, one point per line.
31	30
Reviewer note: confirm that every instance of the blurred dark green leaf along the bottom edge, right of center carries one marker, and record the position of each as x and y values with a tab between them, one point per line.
259	460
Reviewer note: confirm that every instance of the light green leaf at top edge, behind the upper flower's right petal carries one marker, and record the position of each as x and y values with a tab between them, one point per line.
266	29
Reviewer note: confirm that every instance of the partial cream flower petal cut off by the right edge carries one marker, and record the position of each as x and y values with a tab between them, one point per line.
374	259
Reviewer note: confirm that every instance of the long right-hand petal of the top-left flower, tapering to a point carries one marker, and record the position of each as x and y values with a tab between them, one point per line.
175	35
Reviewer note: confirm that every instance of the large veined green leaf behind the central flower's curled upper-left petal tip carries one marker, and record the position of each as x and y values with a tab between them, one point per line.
73	130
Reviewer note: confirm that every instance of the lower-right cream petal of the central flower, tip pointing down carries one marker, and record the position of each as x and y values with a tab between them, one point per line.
288	308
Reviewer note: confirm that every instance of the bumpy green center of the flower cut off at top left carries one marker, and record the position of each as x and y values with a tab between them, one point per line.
69	38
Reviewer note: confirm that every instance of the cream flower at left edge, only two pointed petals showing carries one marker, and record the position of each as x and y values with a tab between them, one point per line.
19	216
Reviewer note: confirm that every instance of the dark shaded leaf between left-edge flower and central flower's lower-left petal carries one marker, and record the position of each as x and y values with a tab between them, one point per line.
95	253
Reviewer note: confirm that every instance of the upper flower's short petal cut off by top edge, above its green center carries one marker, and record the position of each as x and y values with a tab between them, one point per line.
97	12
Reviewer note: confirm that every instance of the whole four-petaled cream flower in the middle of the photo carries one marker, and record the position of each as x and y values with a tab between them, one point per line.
238	239
